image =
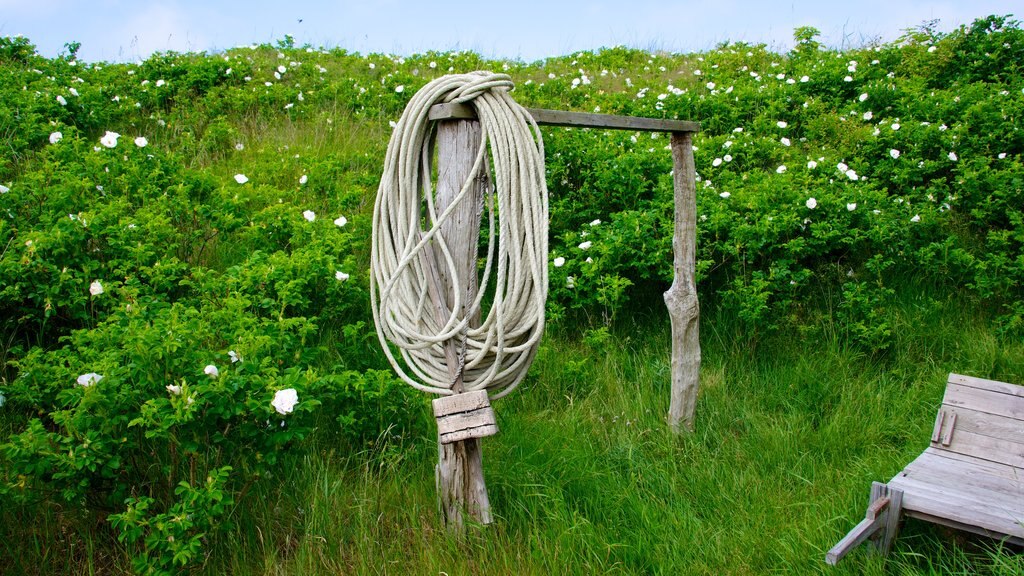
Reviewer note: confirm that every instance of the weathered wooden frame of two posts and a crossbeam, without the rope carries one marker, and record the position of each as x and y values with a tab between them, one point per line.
460	470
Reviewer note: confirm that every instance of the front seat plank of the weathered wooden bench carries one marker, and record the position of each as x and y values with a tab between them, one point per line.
943	503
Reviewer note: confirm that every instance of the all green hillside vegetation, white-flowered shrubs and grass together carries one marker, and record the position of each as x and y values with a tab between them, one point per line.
190	378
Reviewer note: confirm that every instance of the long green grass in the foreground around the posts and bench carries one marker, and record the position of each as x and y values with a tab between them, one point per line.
585	477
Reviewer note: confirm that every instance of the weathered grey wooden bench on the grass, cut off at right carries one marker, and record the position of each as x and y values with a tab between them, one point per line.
970	478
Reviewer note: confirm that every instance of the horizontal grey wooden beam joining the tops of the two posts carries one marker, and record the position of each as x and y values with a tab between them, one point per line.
575	119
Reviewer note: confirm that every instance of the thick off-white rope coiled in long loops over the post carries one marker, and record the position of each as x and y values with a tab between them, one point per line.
406	238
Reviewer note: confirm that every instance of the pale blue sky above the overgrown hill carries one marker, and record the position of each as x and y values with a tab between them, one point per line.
528	30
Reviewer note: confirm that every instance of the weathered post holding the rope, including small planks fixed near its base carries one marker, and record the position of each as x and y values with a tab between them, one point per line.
461	489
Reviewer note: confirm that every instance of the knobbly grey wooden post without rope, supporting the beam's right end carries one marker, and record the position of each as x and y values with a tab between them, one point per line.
681	299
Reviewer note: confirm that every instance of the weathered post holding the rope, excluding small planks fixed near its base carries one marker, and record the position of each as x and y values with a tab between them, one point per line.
460	467
